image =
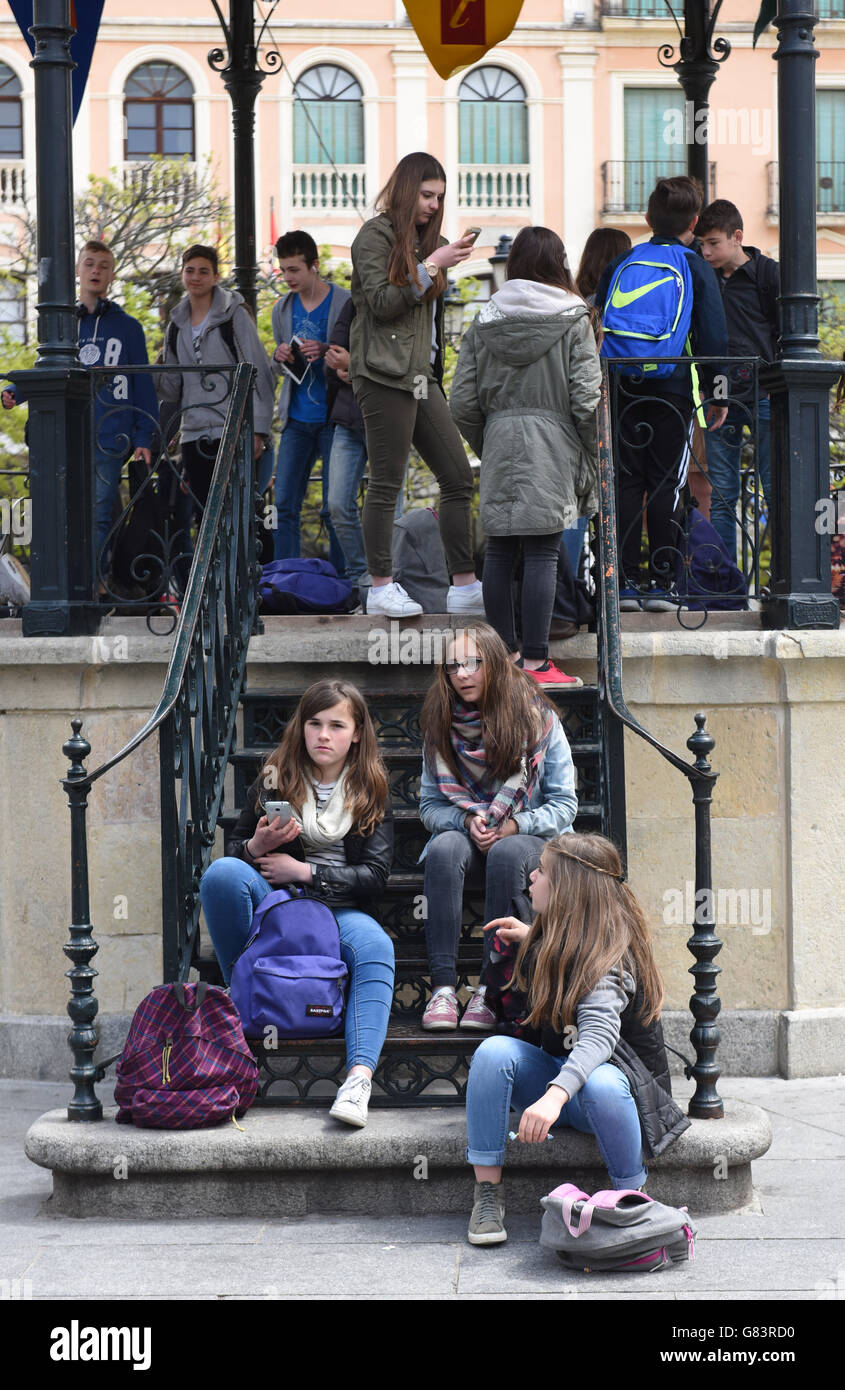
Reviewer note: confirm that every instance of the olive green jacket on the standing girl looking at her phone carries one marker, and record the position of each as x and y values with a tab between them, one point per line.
390	338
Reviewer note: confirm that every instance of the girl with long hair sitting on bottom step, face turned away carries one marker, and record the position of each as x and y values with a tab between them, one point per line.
583	971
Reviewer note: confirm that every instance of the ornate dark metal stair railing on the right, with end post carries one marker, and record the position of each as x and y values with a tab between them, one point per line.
704	943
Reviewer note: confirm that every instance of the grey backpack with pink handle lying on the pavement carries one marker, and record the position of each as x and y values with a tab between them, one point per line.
623	1231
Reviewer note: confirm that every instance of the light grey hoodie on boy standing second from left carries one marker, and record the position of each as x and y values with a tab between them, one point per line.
204	409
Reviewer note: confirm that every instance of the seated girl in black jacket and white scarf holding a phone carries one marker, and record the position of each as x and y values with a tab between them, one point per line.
338	843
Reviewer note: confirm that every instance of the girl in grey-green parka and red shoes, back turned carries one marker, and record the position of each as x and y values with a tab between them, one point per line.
525	397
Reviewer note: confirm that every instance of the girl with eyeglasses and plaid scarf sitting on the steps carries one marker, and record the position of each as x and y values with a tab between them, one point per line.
498	783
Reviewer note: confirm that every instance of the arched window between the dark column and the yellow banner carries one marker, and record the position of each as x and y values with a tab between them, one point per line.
329	117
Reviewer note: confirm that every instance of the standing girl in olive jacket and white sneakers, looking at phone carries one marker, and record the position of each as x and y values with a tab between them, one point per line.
397	368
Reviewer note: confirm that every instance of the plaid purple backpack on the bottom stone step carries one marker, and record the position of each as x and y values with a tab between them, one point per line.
186	1064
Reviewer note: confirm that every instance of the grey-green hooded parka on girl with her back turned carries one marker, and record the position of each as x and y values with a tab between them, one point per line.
525	397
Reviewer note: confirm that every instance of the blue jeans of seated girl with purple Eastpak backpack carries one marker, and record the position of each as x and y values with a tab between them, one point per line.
231	890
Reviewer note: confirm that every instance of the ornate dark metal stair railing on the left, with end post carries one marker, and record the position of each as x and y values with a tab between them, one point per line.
195	719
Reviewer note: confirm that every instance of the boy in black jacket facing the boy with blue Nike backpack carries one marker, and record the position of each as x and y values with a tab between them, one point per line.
750	286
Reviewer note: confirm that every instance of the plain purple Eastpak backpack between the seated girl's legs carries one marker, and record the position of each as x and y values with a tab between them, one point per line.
290	975
